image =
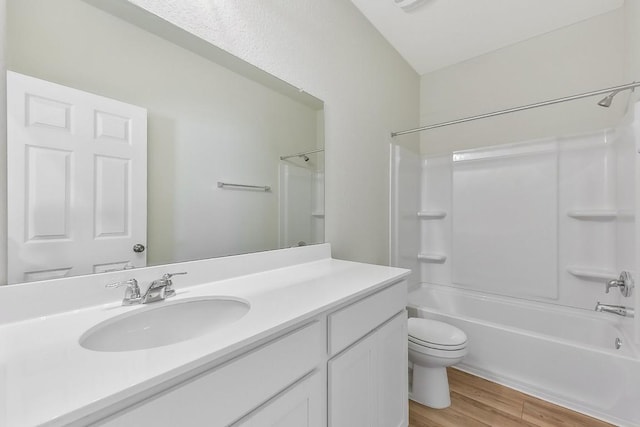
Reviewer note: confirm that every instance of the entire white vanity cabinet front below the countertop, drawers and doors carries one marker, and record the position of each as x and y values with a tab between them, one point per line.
343	368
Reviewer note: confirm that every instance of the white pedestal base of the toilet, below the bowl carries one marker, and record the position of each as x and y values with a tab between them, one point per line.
431	387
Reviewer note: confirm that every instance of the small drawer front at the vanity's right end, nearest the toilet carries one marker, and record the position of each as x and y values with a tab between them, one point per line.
354	321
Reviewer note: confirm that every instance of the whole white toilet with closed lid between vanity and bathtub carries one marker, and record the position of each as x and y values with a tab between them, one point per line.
433	346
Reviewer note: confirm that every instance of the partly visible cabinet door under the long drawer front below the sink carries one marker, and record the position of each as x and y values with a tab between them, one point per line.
300	406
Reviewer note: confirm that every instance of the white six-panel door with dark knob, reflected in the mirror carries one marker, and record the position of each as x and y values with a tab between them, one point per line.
76	181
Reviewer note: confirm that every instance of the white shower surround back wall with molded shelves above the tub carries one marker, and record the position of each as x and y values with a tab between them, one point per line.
549	220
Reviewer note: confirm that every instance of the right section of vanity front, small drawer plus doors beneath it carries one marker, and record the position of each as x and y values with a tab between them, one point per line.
367	382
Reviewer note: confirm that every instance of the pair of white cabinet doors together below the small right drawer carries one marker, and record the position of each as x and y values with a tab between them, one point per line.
368	382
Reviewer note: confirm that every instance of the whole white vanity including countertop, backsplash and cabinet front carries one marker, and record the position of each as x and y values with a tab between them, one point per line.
324	343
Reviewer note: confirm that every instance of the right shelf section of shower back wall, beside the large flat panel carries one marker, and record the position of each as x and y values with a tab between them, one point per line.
588	216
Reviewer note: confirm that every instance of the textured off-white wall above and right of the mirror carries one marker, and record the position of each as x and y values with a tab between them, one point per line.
330	50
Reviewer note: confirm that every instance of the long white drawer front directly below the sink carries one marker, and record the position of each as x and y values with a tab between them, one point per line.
224	394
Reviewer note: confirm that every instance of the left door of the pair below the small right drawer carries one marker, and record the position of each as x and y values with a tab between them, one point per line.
352	386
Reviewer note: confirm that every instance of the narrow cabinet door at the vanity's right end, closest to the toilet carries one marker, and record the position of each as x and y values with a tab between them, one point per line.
393	403
